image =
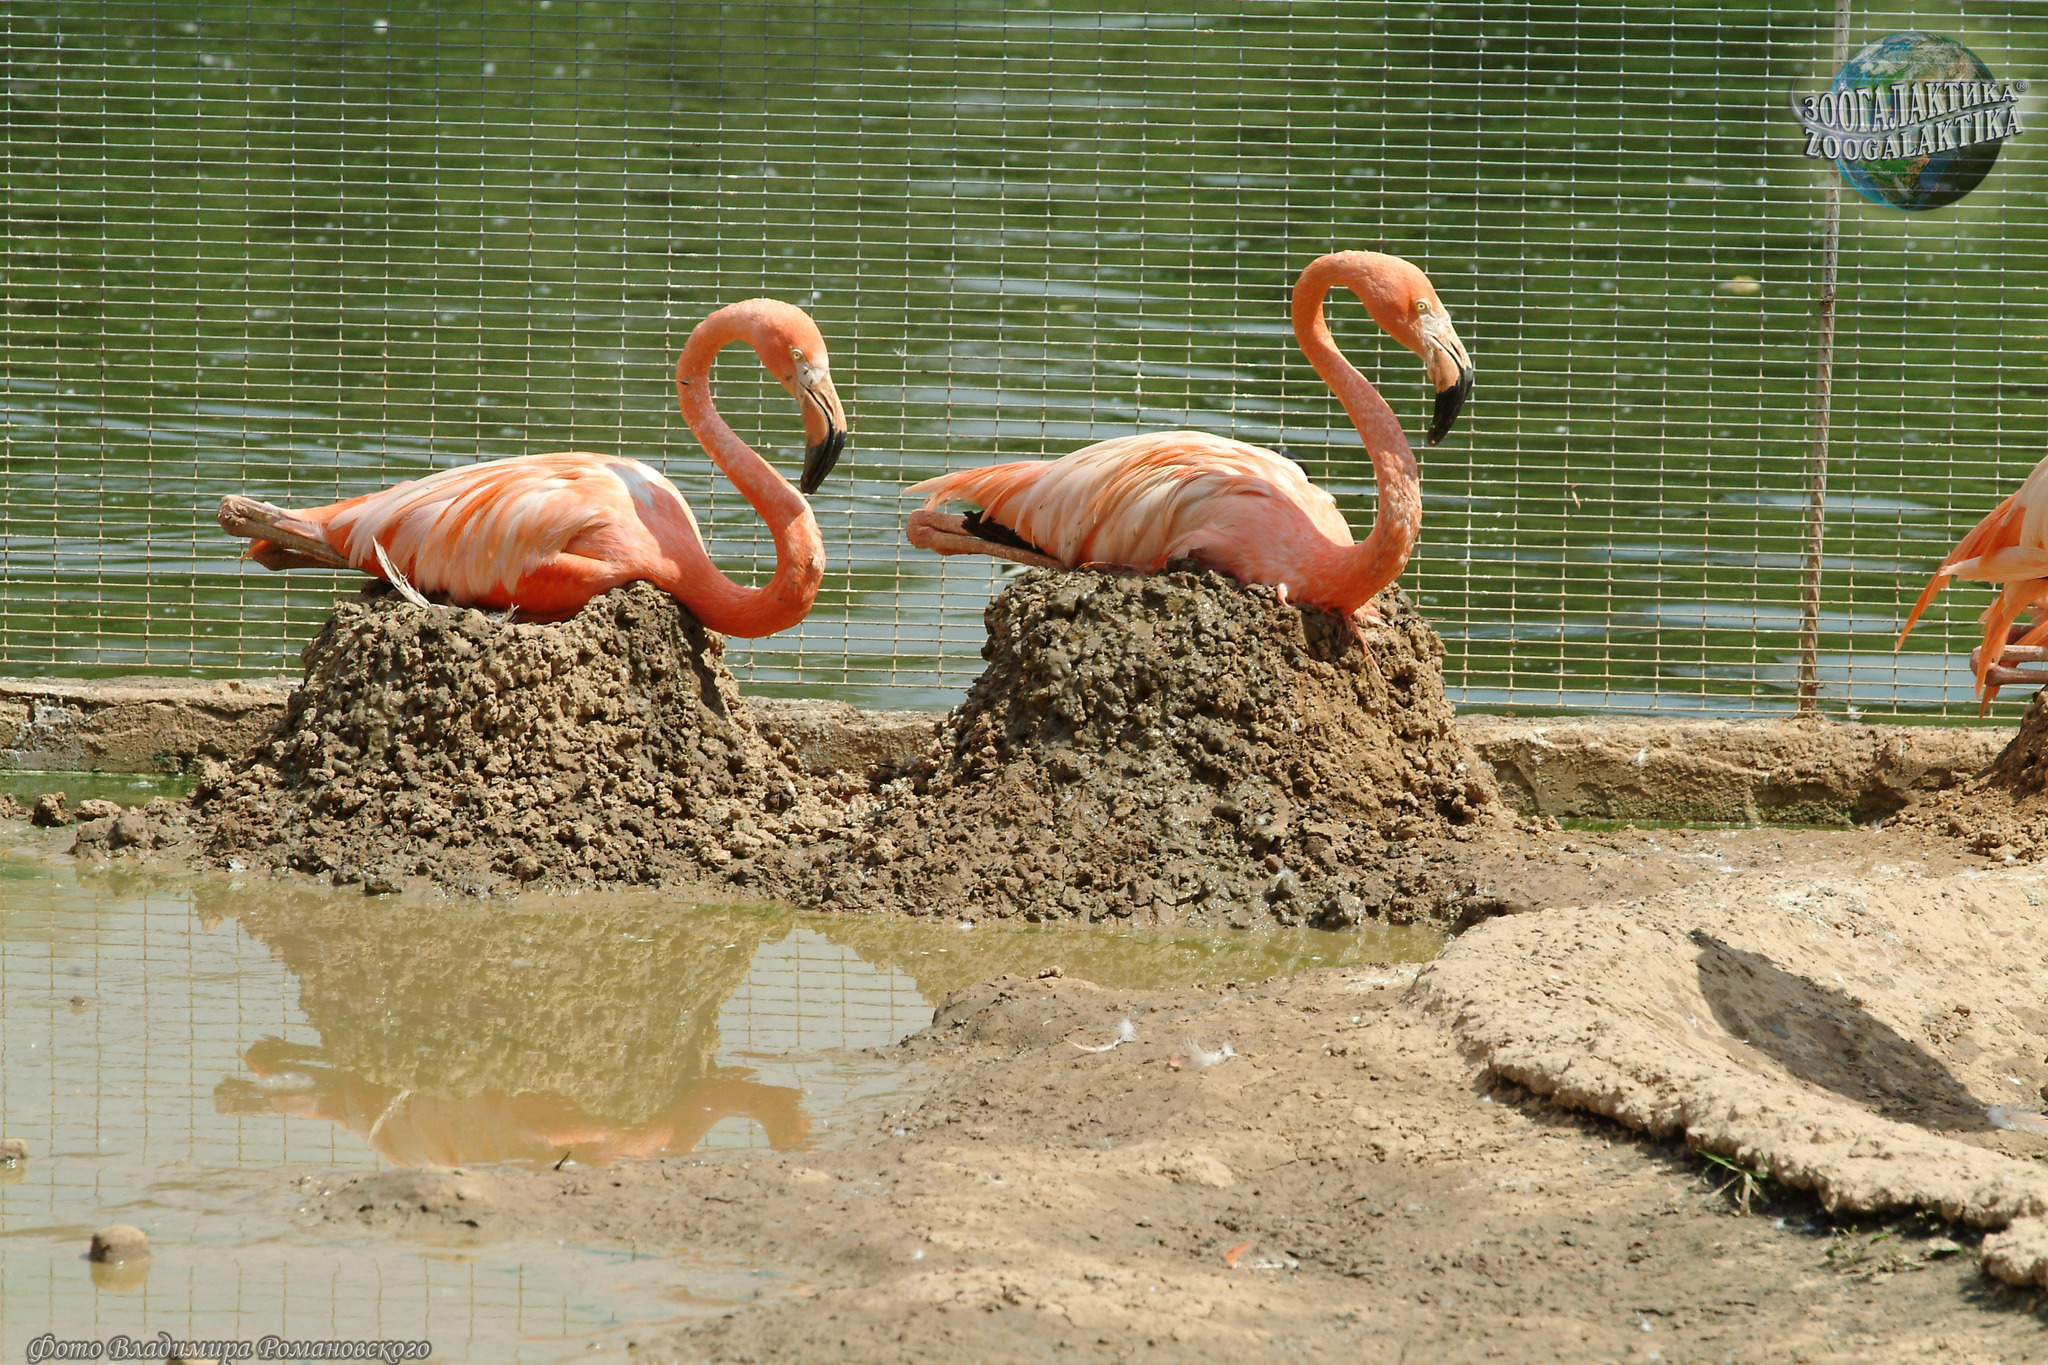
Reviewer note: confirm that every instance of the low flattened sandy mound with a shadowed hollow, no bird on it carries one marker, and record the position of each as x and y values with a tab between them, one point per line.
1875	1043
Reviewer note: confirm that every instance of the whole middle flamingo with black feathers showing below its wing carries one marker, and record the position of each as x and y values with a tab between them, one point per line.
1138	502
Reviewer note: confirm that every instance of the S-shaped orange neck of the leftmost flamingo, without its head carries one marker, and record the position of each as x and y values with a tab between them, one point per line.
800	554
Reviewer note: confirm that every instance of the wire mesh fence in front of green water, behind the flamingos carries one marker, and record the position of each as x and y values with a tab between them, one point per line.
304	253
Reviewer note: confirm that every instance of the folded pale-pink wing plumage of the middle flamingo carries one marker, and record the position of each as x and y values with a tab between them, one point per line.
1142	500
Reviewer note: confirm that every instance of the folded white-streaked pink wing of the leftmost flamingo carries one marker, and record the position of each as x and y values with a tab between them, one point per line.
484	531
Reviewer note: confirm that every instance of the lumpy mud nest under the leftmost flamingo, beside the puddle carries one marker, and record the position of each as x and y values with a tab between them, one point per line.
484	756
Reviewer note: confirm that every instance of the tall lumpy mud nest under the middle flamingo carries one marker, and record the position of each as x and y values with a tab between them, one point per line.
1170	748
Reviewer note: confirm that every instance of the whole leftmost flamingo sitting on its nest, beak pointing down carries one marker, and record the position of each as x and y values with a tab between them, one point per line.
548	533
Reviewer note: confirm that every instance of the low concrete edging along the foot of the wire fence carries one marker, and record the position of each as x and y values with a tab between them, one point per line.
1623	768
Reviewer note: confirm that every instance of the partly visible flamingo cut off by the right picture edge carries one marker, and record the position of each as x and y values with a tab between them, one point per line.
2008	547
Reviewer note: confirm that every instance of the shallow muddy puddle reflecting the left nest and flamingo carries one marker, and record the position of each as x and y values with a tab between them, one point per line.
179	1051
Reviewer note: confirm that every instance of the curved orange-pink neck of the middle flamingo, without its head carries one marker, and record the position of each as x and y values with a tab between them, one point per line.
1359	572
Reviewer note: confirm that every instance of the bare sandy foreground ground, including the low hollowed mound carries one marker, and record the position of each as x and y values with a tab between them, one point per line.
1365	1182
